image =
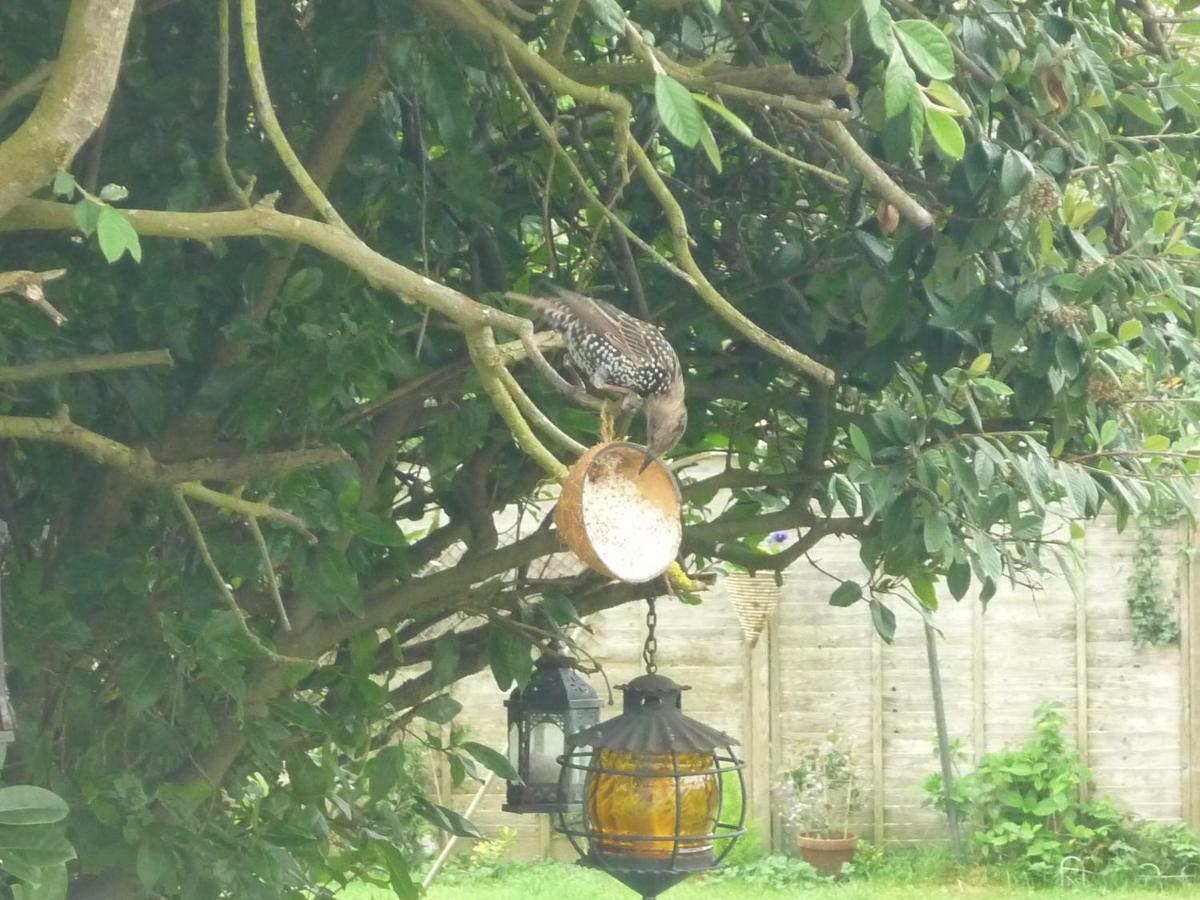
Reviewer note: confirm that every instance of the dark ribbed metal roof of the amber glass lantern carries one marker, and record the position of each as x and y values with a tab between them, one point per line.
652	723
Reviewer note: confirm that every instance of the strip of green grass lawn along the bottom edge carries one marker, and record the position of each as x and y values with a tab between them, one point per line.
569	883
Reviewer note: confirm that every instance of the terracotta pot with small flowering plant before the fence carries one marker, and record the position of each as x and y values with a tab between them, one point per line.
817	797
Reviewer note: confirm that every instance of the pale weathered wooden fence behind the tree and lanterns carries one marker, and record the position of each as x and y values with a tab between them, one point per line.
815	668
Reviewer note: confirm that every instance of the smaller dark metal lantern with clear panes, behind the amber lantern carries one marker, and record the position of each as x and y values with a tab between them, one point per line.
556	703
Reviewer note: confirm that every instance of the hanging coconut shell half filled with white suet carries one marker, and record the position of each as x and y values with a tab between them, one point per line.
604	536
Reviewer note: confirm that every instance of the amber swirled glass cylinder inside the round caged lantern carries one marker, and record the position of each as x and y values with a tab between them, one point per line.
647	803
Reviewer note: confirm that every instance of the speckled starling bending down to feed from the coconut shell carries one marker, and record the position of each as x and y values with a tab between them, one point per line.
621	355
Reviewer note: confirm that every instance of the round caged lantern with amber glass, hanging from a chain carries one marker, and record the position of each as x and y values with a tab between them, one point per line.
655	789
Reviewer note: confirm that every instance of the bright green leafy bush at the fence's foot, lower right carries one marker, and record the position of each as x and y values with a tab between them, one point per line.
1028	814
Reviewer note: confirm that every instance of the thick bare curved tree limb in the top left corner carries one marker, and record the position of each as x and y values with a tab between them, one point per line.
74	103
